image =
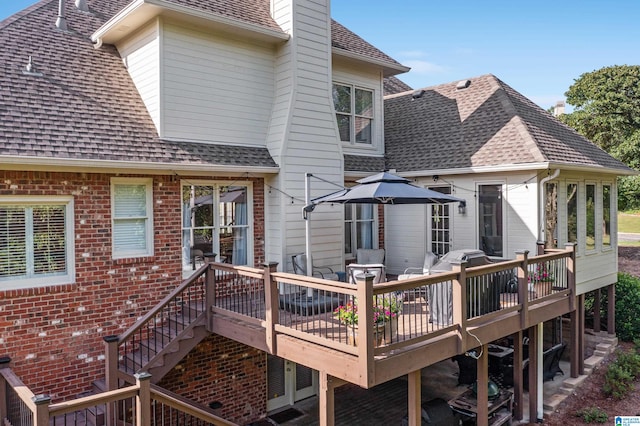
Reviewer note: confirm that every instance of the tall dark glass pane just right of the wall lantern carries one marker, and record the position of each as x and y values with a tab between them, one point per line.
490	219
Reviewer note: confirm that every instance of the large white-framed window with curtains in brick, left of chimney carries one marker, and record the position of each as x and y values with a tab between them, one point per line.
215	220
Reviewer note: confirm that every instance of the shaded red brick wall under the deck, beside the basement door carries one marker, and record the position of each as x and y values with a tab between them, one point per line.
224	371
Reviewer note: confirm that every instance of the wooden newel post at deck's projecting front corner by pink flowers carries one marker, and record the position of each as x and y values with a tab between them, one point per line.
365	327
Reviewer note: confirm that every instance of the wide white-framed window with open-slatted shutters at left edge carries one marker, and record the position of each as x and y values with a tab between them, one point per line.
36	242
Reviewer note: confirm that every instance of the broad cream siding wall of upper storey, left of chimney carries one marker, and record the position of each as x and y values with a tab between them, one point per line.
215	88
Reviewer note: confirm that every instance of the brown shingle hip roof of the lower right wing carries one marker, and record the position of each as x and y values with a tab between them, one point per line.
486	124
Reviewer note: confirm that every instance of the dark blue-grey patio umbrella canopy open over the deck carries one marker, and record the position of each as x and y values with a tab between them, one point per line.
386	188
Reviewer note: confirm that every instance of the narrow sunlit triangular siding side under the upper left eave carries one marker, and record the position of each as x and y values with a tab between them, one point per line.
141	55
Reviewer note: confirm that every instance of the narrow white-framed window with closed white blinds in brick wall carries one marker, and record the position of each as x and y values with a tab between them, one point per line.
131	217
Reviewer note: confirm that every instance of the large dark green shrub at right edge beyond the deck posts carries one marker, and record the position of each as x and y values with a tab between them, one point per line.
627	302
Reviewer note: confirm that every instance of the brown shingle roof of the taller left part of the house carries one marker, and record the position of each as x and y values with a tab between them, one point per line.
85	106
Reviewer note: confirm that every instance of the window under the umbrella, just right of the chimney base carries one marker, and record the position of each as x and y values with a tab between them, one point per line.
360	227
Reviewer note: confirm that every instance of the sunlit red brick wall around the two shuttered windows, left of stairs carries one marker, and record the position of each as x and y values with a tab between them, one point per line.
54	334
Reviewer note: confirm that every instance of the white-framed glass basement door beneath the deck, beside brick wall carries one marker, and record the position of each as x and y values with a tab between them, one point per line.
288	382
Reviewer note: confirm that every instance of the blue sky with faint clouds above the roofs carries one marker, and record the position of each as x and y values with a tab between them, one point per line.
537	47
